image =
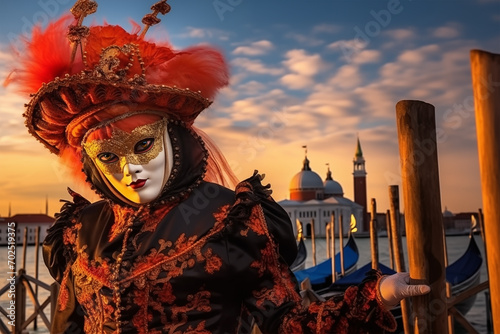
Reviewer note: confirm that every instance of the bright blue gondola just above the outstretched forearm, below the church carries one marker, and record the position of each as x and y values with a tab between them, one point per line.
320	276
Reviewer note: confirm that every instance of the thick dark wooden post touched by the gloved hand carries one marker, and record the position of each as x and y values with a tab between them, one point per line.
424	220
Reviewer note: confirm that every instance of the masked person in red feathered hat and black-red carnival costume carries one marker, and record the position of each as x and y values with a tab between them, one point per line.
169	248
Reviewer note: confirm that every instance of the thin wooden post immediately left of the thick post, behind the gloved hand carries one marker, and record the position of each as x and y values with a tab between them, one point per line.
397	246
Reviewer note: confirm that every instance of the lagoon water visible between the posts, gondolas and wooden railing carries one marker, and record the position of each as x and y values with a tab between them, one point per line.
456	246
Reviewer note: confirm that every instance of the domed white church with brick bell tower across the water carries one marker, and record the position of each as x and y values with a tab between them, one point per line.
313	199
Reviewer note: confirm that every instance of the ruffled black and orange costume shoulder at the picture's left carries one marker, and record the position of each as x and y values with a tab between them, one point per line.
58	245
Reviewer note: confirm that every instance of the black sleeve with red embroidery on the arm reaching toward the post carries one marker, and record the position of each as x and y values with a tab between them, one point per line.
263	232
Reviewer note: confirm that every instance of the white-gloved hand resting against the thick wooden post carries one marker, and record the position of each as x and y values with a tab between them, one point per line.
395	287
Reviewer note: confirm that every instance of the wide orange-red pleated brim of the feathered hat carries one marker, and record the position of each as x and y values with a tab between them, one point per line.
62	111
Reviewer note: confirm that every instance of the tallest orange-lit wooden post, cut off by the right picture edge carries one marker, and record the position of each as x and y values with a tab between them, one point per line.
485	68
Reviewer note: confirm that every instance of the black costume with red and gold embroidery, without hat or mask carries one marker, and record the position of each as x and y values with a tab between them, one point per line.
202	259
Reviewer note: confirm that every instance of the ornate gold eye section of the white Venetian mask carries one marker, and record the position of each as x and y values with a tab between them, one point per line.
111	155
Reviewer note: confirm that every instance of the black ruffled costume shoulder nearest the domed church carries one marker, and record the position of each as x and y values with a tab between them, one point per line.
250	193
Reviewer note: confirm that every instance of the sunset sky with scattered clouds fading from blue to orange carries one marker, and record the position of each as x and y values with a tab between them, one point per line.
316	73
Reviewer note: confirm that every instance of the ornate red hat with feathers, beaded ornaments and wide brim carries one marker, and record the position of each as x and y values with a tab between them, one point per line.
83	76
